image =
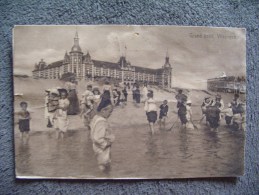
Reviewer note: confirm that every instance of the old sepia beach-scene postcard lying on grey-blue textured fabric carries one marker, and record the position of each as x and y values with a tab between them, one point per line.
129	101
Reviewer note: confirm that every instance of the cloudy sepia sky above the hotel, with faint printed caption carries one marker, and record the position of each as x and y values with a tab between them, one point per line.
196	53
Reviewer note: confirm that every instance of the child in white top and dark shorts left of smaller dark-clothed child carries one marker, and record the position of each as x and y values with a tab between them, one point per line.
151	111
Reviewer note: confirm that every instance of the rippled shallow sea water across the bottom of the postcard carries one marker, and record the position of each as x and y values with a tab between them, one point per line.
135	154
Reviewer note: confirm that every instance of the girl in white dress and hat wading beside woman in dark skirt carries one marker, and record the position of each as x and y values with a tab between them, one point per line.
60	118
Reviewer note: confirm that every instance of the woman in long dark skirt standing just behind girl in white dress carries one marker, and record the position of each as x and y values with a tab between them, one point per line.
73	108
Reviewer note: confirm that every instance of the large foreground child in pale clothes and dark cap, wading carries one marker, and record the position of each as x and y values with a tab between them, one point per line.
101	135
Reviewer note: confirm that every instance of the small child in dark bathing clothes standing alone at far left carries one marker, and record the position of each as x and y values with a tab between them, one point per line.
24	121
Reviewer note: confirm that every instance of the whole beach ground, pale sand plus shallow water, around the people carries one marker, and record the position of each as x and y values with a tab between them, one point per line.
178	153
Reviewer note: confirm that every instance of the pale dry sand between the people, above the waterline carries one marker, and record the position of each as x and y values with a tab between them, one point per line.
123	116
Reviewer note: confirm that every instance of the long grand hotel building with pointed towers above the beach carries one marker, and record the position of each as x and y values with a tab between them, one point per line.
84	67
